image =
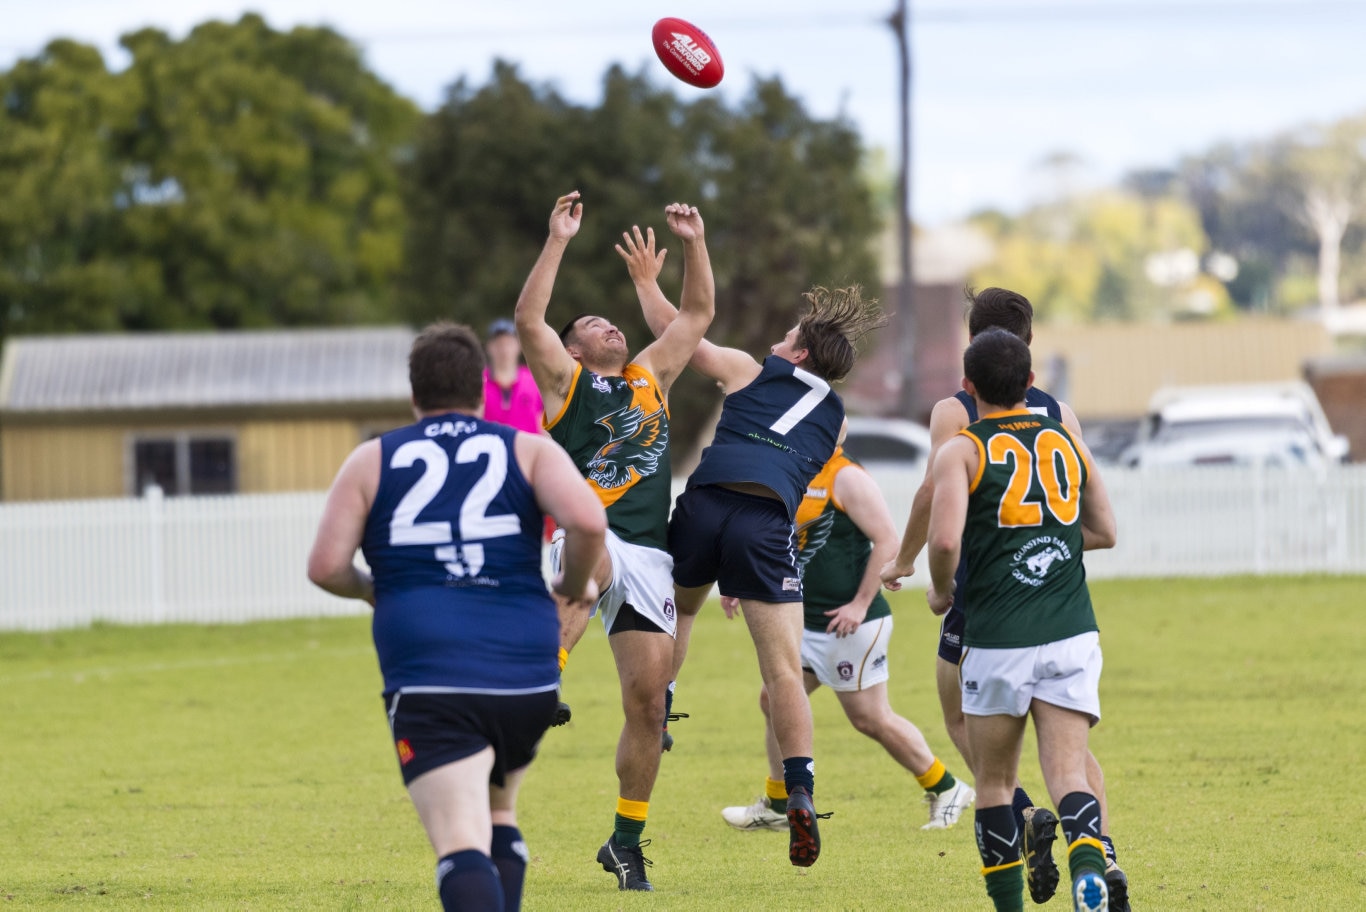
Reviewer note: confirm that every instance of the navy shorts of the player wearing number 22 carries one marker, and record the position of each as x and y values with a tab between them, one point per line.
434	730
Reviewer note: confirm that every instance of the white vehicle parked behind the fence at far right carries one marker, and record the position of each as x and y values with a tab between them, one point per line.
1278	425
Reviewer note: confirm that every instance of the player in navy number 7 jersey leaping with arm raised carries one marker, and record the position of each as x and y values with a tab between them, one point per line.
736	524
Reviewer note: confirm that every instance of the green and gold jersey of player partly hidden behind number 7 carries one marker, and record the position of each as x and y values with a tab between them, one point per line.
833	552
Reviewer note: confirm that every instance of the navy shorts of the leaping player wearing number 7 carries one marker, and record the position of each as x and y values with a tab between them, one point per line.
744	543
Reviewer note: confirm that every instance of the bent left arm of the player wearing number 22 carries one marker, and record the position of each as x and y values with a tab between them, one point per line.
333	559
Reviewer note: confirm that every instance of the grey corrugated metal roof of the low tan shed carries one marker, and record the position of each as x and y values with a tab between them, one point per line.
204	371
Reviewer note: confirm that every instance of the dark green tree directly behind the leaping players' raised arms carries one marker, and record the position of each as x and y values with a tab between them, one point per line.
783	196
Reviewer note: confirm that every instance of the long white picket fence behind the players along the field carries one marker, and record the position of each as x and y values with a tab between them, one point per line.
242	559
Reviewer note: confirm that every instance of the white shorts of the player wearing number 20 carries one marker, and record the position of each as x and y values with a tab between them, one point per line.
1003	682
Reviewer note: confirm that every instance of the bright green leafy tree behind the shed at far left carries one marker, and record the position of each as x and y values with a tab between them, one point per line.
241	177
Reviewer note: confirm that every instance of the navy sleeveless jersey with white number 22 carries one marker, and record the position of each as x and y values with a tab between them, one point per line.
454	543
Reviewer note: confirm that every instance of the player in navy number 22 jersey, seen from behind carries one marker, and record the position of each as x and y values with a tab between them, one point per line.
450	513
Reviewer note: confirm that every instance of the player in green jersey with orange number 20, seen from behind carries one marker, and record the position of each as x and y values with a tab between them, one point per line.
1021	494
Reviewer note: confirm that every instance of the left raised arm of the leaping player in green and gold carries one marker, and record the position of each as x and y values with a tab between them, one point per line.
551	365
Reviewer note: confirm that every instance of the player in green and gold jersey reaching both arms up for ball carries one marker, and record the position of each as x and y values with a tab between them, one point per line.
610	412
